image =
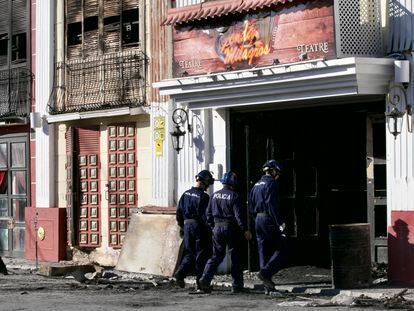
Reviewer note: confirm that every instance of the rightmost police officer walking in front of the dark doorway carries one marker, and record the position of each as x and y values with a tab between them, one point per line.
264	206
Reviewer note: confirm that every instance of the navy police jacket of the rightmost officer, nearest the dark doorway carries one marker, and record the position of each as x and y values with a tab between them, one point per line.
264	198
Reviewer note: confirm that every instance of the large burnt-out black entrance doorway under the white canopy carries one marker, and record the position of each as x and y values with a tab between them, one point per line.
323	153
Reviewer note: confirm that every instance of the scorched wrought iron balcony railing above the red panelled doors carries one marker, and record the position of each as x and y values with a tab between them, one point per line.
103	82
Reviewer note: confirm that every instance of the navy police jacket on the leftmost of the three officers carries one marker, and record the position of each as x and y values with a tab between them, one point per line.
192	205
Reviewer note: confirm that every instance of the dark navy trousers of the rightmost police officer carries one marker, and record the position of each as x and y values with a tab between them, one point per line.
272	246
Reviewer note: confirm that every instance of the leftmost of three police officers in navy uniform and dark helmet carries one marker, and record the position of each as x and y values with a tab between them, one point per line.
191	218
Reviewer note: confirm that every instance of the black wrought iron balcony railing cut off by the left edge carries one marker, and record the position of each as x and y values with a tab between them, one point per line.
15	92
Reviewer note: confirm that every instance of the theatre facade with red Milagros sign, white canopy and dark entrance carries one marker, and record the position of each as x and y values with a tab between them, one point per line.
307	83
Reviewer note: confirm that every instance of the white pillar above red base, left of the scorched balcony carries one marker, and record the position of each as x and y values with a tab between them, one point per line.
45	162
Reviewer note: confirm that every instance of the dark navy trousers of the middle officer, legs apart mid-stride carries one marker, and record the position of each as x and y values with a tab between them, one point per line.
230	236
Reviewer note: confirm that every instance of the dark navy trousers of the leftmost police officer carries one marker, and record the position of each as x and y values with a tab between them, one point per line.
197	250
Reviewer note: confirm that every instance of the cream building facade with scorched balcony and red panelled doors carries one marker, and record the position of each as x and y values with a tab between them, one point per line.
94	142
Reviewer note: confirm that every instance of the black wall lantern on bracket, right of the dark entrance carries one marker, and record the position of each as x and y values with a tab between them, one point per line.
398	108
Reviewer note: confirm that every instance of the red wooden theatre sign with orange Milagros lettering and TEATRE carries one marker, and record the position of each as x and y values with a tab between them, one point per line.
259	39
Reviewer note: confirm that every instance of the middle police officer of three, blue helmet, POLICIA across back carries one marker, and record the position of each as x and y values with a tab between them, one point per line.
227	218
